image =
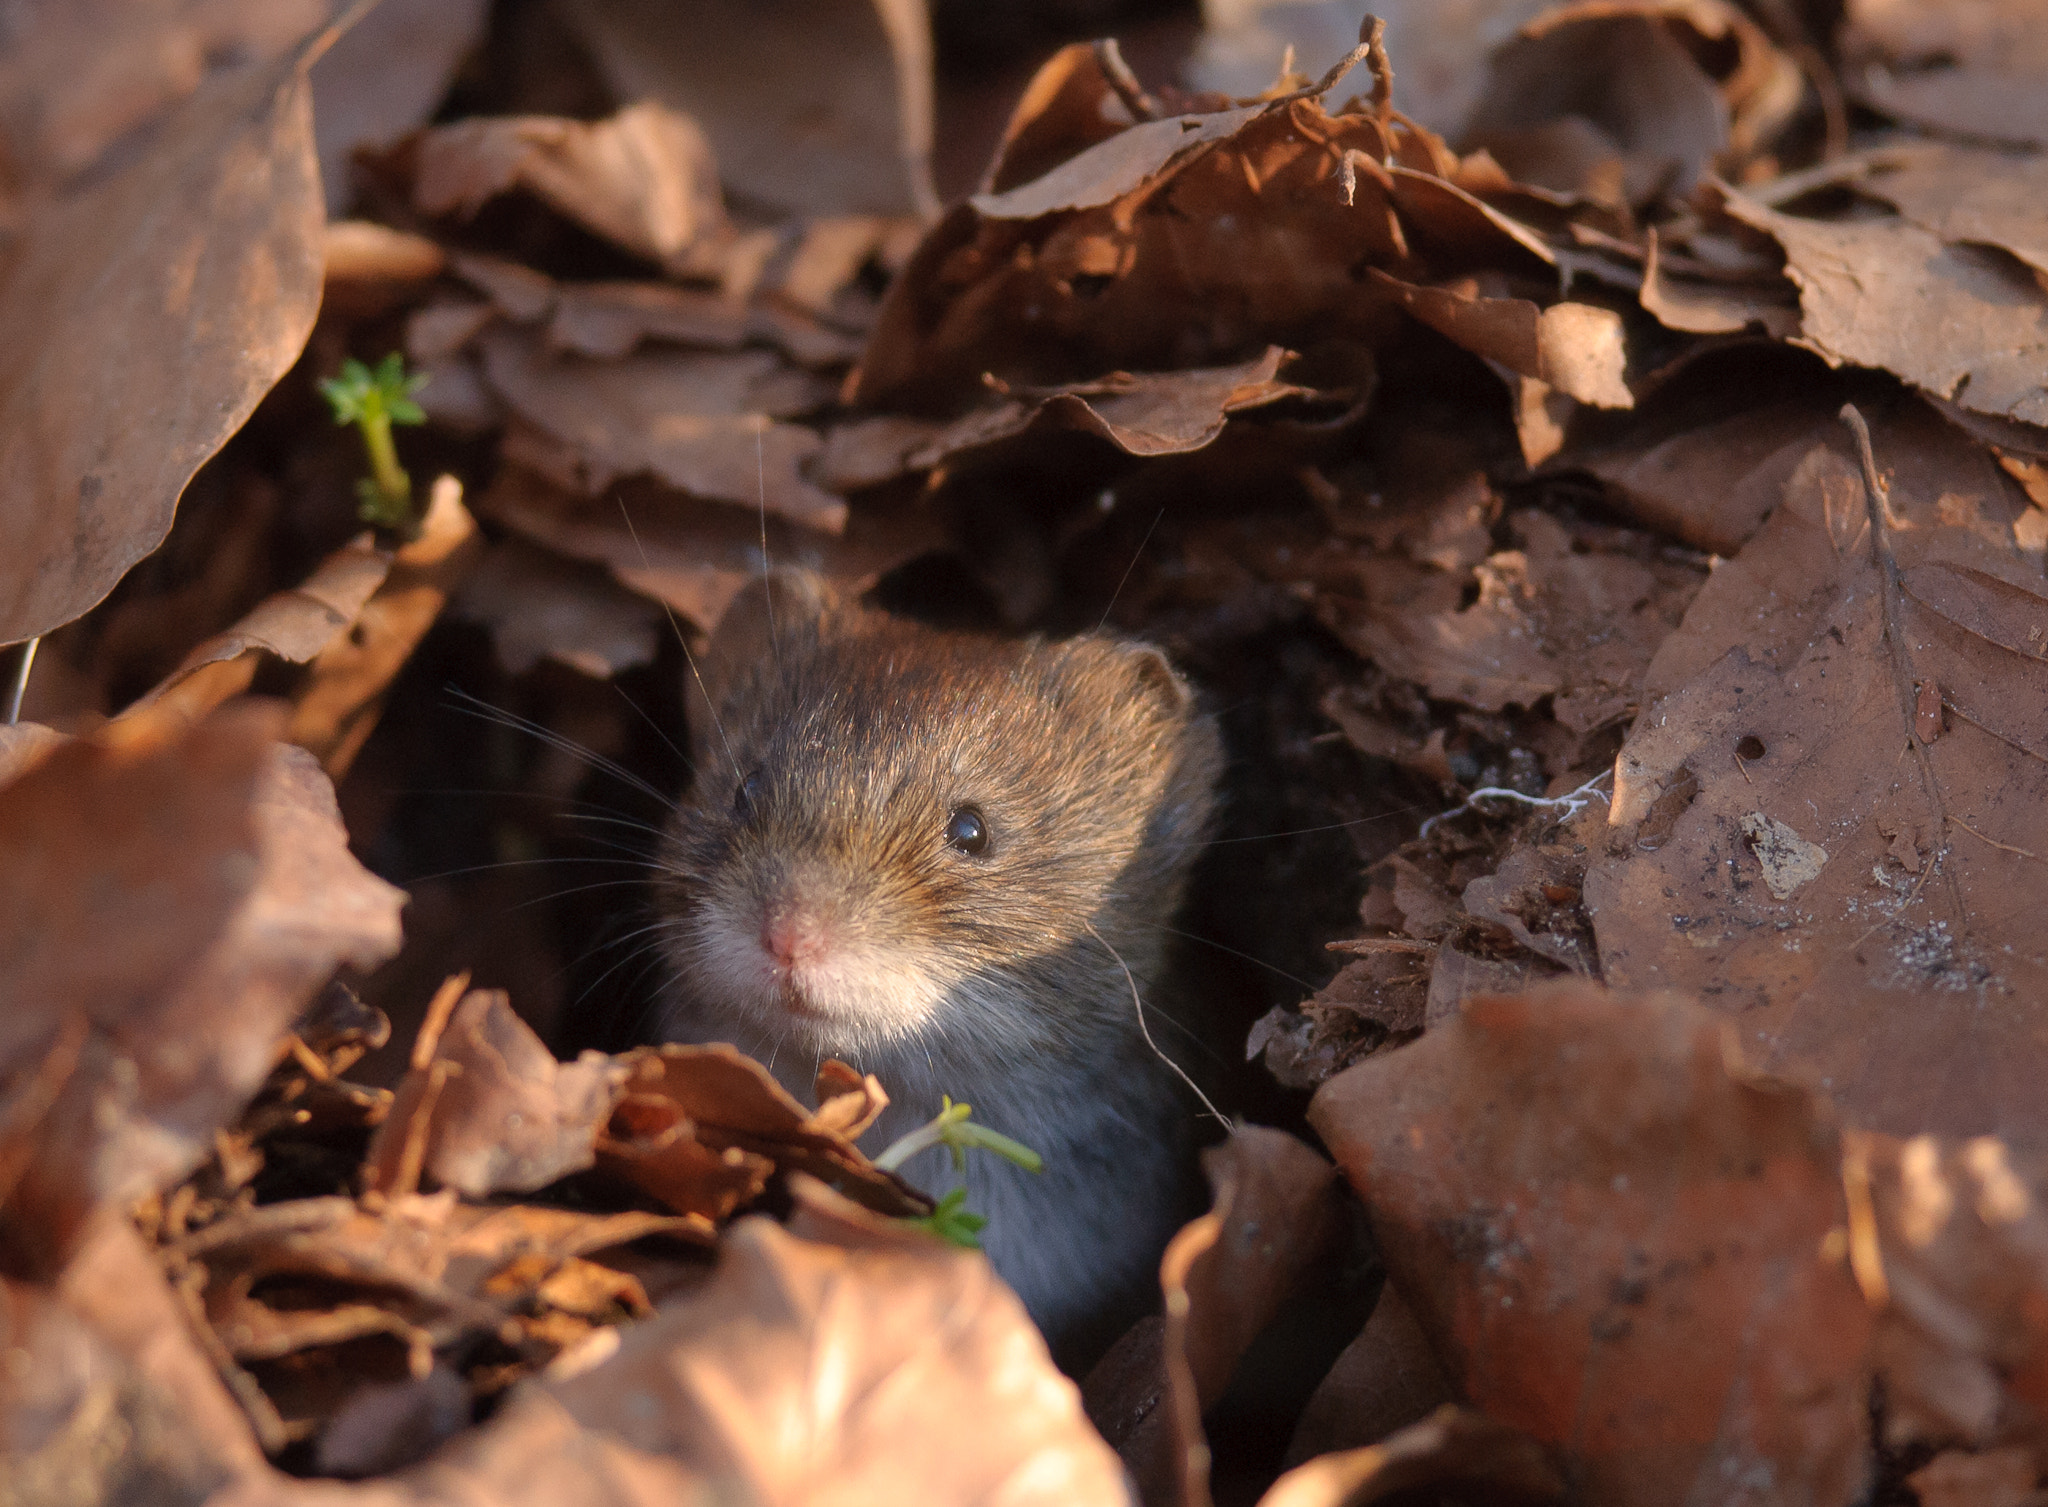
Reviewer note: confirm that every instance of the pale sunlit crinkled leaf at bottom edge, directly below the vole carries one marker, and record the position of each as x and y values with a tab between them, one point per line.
863	1354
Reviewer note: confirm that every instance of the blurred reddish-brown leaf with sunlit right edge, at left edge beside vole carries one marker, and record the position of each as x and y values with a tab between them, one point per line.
183	892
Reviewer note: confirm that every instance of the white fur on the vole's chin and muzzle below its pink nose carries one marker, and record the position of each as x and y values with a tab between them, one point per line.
859	1000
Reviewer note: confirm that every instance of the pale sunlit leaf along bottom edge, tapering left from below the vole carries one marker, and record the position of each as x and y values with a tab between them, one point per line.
798	1375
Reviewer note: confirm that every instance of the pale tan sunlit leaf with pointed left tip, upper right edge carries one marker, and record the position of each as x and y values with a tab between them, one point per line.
1959	320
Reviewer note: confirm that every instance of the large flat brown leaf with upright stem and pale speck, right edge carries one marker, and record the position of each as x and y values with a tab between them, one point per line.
1859	894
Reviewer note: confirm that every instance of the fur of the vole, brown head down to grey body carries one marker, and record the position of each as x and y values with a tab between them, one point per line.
833	752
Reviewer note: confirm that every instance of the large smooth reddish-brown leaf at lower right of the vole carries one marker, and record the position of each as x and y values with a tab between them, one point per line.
1572	1189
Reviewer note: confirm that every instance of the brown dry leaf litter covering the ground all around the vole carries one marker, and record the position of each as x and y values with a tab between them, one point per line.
1478	408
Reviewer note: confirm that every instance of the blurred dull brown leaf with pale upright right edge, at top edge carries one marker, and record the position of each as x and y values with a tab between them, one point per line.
816	107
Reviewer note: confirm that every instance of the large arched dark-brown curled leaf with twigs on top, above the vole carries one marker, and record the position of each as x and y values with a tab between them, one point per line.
1191	243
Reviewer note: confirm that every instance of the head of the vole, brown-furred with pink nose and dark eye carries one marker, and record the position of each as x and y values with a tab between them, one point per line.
902	838
